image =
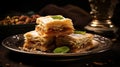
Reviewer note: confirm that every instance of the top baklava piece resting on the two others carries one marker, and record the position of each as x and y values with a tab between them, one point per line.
54	25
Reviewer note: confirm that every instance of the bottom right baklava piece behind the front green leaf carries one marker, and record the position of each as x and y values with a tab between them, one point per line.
76	42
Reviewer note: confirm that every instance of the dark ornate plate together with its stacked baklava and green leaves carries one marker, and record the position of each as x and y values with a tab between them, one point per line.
55	36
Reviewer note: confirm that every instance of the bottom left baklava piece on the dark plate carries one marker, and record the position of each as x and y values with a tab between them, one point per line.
34	41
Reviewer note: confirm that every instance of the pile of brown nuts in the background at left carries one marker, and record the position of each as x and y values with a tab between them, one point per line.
22	19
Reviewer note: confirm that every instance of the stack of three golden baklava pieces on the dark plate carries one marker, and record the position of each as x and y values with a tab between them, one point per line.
54	31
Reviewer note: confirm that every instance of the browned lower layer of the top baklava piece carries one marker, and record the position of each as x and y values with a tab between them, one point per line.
53	32
